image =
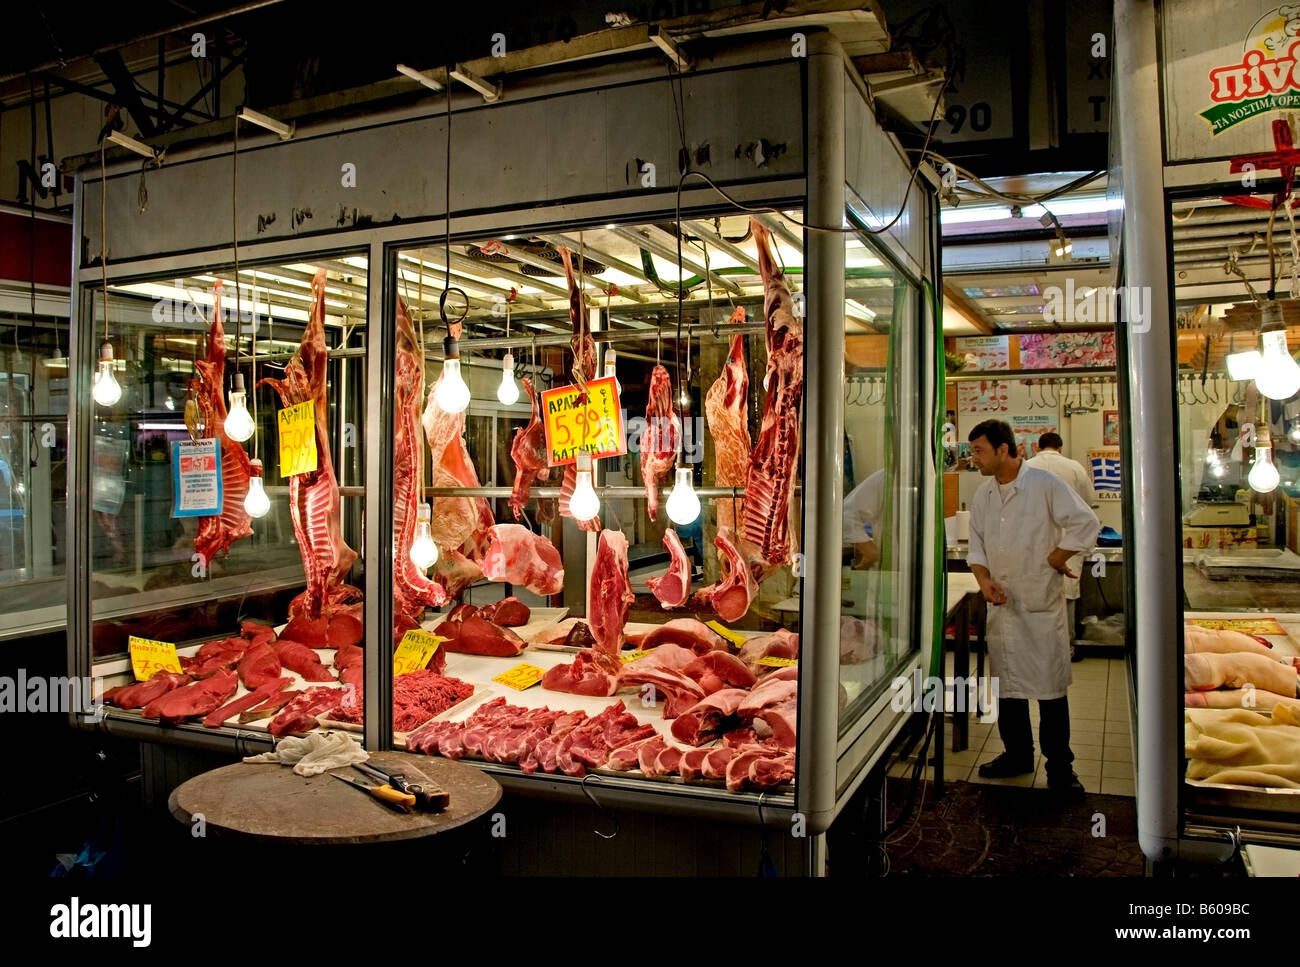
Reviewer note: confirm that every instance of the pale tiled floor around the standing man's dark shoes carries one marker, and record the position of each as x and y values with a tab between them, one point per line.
1099	736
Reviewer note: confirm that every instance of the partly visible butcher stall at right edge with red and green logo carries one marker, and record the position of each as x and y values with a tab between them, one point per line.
1210	274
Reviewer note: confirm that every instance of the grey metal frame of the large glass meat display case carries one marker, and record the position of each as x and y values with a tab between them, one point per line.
826	119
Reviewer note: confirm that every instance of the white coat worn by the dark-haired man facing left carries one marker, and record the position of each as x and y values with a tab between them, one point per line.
1029	640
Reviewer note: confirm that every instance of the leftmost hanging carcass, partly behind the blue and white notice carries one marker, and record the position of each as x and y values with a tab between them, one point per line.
219	532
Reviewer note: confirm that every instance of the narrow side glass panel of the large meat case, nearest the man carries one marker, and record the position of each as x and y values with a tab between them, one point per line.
882	514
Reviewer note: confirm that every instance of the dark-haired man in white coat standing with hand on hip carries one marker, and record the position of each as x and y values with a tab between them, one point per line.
1026	524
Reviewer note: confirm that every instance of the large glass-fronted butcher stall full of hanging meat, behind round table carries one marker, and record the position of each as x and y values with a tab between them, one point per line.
518	430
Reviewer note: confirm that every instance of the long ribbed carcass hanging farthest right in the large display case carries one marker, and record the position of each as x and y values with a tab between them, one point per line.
769	514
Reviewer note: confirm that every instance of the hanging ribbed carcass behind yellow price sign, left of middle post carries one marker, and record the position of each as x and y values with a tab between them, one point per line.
314	500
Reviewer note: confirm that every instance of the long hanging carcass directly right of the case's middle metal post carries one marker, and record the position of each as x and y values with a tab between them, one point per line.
413	591
